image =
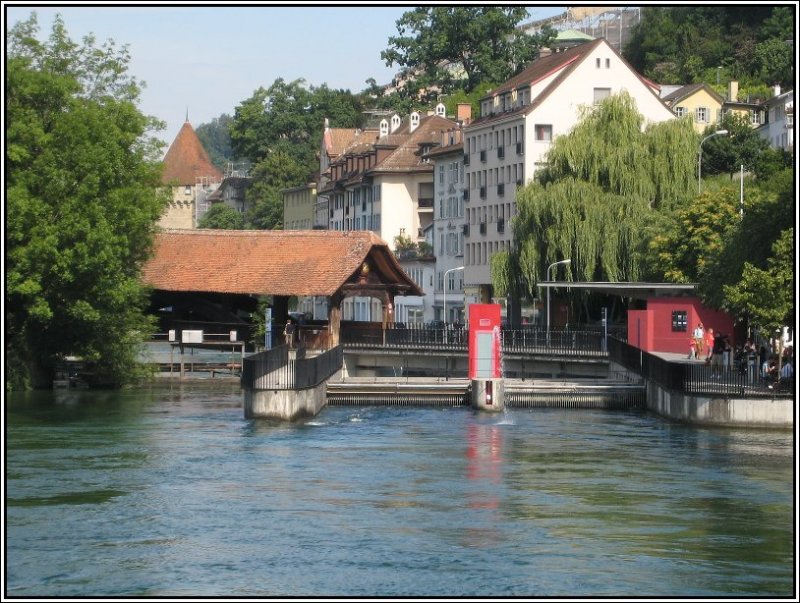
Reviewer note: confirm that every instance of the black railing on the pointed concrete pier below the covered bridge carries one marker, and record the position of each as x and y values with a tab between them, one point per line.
274	369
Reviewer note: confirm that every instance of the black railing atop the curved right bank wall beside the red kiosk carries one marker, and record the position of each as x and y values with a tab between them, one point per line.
698	377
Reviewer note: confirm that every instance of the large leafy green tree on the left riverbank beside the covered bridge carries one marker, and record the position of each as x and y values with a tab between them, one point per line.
82	205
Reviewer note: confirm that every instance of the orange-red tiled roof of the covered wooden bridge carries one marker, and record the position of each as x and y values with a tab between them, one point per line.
267	262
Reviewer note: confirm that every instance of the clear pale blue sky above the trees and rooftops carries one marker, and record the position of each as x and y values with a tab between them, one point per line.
208	59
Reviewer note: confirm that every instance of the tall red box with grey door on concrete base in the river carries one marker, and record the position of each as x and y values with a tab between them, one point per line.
485	361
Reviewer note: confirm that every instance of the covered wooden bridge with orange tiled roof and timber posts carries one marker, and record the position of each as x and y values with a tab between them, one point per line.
195	266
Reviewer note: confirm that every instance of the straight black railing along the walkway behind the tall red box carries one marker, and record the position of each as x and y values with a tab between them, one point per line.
524	340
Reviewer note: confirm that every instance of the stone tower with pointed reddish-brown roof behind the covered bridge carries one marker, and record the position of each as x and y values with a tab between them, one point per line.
192	177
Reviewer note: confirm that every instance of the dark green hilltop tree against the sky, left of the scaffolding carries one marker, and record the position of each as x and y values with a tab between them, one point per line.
482	43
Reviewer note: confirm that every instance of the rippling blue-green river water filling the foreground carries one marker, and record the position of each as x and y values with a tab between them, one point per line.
170	491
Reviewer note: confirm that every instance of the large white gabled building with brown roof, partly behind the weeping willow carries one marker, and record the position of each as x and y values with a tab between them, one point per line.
510	139
